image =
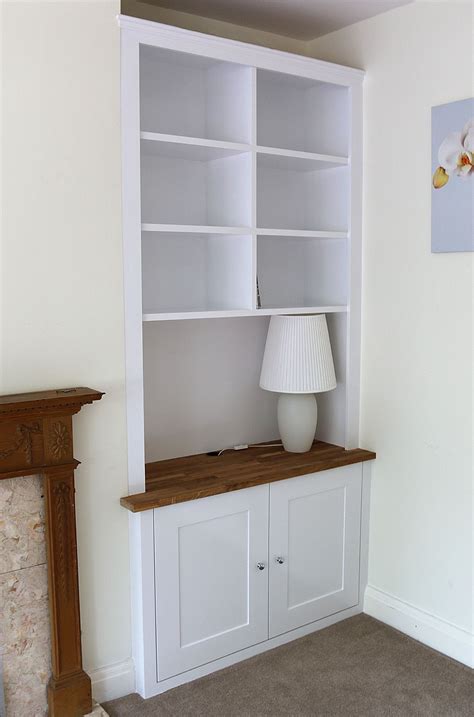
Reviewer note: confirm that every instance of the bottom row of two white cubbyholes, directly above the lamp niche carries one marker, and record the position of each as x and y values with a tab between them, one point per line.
186	274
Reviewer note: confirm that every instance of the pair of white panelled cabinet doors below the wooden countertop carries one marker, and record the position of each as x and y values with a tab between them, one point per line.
234	570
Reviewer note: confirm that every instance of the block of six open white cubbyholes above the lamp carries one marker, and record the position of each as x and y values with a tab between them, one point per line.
204	179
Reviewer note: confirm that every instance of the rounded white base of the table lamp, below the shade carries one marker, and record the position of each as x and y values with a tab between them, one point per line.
297	421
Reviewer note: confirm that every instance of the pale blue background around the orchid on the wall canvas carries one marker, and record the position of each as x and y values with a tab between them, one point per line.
452	206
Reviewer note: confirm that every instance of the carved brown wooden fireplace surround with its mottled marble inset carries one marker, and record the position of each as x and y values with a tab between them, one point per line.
39	600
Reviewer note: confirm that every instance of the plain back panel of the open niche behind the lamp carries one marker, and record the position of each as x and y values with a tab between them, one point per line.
201	386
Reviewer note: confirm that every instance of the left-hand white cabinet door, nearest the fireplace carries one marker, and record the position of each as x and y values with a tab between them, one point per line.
211	596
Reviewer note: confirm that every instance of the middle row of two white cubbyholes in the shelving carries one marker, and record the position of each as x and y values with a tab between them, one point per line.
190	181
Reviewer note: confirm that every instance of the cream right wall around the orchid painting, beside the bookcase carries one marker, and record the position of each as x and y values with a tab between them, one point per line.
417	408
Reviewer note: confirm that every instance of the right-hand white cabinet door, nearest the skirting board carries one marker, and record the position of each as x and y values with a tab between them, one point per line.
314	547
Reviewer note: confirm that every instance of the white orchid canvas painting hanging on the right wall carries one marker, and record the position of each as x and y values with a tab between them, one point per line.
452	202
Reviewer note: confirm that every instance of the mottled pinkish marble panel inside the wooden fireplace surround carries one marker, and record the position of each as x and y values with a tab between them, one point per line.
25	651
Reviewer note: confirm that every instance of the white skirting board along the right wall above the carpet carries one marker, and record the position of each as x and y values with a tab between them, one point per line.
422	626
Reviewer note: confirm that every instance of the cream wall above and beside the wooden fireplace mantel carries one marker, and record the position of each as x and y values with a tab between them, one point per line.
61	272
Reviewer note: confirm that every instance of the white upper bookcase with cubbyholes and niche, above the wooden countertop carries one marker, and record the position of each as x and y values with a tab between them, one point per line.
242	199
